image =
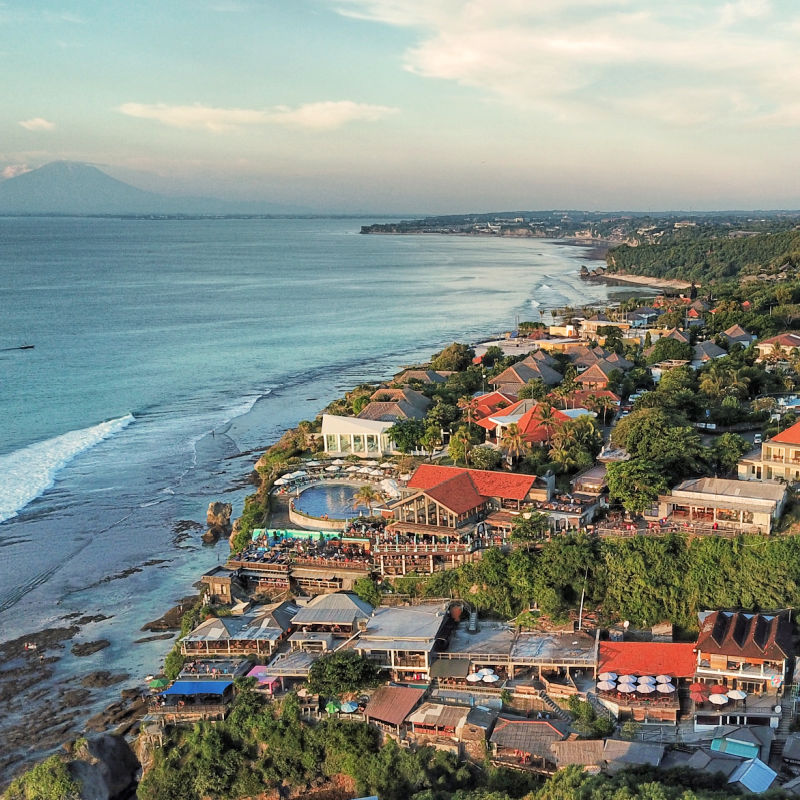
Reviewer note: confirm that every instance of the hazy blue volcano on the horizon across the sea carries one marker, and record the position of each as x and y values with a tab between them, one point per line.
69	187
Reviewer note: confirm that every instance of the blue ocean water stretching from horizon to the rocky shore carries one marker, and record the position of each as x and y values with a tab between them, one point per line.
165	352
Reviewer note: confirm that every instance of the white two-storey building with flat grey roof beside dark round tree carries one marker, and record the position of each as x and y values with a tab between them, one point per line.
402	640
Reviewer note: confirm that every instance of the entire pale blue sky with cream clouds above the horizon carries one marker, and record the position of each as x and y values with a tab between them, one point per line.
413	106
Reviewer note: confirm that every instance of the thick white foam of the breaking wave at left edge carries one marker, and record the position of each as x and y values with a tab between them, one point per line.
29	472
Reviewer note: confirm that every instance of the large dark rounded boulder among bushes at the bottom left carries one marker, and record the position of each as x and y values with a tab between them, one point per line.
105	766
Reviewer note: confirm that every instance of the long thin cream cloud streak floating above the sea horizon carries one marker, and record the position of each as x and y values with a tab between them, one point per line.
325	115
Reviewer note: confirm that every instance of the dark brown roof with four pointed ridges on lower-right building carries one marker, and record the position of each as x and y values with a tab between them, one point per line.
730	633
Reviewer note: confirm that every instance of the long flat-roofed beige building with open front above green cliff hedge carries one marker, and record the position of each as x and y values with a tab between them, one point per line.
723	505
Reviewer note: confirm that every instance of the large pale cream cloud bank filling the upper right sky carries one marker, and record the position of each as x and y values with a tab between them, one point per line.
585	58
